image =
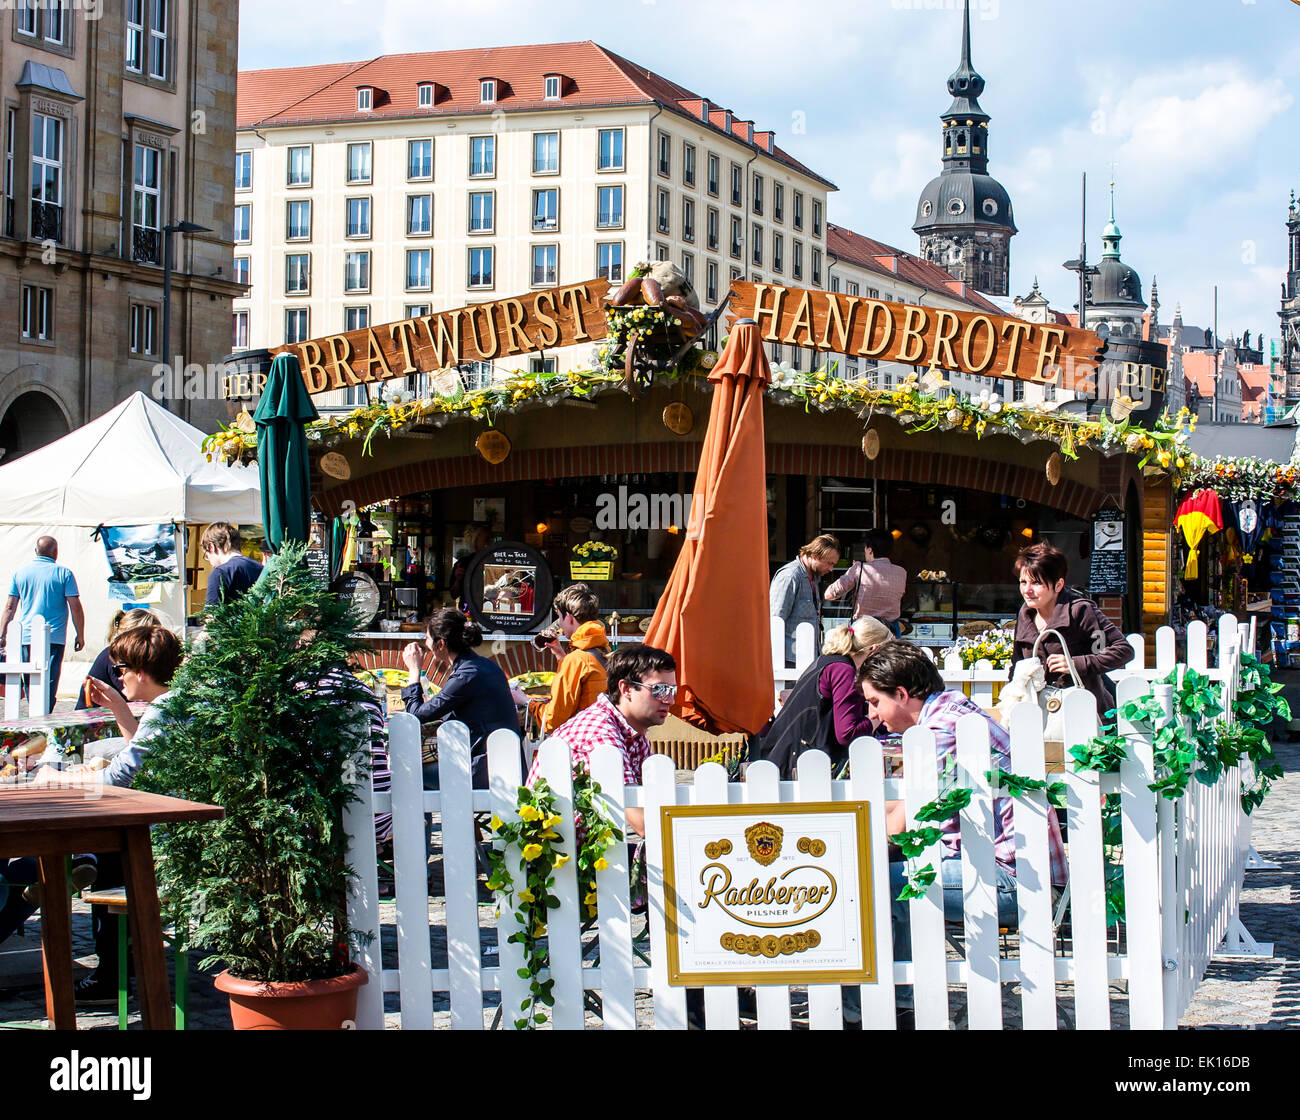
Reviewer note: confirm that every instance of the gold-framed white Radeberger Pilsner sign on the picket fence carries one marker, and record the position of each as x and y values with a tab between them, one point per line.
769	895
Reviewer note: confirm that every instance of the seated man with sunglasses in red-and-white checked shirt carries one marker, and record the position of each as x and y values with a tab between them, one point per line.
643	685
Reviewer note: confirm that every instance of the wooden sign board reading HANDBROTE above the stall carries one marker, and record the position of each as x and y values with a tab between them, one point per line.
972	342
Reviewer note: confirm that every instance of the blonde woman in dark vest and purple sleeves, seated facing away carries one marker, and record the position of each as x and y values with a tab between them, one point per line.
826	710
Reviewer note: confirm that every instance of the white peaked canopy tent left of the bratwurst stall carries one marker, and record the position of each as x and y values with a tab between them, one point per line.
137	465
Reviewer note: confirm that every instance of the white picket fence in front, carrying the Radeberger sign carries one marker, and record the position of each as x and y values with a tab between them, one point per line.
1180	859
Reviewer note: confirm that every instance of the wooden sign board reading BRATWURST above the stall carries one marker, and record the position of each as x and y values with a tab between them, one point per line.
543	320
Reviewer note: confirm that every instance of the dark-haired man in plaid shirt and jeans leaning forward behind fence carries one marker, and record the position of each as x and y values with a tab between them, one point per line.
904	689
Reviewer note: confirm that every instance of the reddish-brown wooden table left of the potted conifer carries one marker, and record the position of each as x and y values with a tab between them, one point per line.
55	823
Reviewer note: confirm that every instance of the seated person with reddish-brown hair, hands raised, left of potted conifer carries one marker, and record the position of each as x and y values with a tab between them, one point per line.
145	658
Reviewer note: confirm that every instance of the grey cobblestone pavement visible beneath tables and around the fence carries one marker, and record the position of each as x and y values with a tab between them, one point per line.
1234	995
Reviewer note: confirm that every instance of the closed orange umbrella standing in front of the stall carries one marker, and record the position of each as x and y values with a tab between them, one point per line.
714	614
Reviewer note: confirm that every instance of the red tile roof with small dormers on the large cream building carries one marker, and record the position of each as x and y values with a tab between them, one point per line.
596	79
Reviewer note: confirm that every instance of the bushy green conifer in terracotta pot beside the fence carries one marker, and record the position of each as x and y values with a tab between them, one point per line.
259	724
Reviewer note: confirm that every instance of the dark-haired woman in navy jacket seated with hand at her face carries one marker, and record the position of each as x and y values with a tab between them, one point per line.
475	691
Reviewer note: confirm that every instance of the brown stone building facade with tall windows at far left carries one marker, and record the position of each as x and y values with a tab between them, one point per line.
119	121
